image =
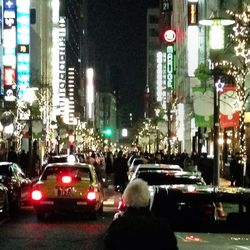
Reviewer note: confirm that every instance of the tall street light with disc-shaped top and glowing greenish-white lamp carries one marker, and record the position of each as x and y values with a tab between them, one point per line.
216	41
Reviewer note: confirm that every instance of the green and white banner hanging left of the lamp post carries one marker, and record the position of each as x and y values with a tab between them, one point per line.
203	99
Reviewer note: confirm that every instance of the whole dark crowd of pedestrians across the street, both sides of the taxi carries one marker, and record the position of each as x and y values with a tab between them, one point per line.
113	167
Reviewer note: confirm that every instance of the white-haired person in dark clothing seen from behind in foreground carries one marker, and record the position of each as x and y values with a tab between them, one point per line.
138	228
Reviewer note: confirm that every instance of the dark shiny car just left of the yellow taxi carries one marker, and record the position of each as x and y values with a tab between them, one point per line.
18	184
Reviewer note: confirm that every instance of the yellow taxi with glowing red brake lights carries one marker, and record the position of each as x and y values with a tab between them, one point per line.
69	188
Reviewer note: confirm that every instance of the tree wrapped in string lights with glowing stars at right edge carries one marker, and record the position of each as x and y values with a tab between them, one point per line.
238	68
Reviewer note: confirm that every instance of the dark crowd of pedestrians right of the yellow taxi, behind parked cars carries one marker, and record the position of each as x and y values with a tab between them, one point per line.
117	166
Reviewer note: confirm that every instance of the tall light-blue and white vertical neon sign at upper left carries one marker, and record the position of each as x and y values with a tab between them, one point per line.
23	46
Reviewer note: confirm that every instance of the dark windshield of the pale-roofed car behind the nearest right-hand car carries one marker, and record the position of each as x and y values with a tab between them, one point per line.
167	178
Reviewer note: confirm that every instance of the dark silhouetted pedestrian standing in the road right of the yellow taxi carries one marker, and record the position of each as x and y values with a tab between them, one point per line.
121	172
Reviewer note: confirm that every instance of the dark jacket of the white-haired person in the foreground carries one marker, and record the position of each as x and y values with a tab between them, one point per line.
138	229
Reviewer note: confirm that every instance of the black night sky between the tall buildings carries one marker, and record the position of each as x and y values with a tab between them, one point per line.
118	30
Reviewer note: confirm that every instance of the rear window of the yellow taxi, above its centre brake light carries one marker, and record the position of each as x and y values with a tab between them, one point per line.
82	173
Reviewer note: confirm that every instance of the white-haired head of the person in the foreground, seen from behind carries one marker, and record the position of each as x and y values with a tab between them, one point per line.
136	194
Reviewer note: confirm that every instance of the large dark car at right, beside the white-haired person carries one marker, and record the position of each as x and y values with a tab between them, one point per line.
204	216
